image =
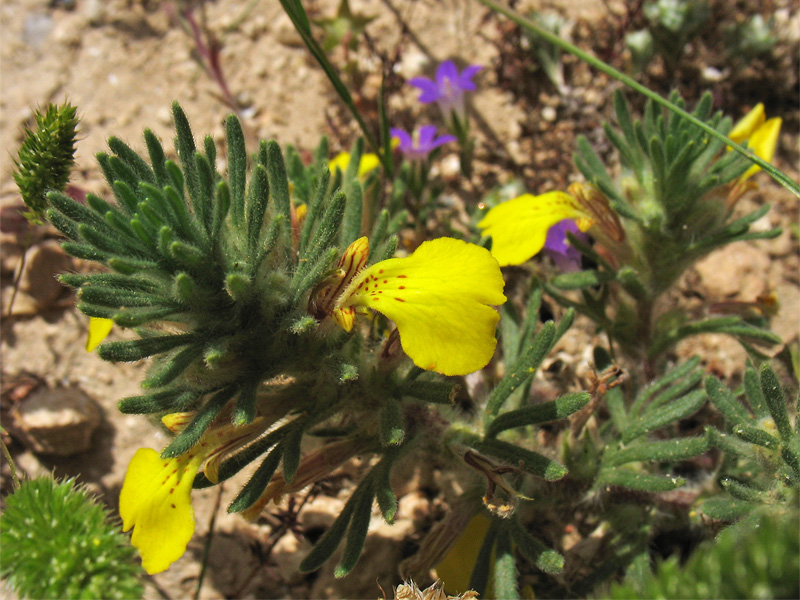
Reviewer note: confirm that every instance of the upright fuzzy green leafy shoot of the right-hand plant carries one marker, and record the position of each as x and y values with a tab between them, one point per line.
670	206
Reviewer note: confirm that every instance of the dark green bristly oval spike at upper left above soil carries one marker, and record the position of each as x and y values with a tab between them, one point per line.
46	156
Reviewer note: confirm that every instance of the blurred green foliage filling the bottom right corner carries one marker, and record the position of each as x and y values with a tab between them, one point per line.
759	558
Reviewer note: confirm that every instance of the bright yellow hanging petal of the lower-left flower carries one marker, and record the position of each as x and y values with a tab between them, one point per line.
156	501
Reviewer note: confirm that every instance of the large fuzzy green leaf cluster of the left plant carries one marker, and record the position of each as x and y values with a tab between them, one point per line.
214	274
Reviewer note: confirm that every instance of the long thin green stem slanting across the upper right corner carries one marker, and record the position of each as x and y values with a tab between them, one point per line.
604	67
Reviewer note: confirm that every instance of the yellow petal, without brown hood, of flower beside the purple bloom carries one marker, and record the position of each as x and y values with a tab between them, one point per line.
519	227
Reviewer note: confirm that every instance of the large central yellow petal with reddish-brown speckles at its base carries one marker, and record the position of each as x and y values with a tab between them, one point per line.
440	298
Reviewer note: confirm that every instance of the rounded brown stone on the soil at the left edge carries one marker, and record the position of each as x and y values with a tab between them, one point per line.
56	421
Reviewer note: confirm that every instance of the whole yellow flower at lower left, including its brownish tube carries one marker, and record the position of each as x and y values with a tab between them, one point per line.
156	495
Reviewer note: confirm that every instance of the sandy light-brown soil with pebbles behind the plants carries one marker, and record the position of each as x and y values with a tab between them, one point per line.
123	62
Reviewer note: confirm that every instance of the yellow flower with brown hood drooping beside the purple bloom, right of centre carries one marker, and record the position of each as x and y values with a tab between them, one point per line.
519	227
